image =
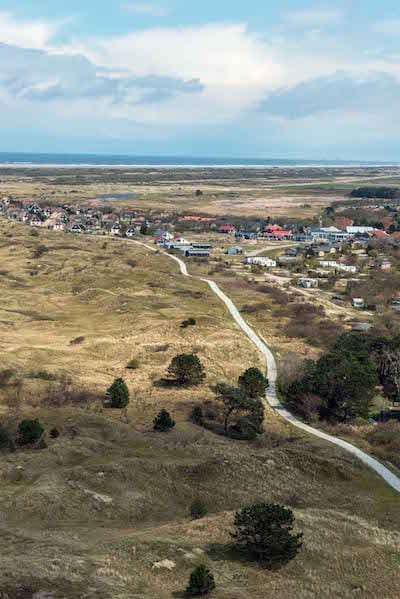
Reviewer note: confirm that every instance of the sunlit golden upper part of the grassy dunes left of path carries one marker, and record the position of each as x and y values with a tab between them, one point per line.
86	307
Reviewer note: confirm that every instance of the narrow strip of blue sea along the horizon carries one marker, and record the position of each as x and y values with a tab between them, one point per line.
34	160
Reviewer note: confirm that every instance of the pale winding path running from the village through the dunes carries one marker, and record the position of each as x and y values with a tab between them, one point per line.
271	394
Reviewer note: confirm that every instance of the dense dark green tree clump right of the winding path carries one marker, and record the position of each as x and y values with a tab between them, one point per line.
340	386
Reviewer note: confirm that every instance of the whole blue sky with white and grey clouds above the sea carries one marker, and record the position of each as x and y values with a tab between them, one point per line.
288	79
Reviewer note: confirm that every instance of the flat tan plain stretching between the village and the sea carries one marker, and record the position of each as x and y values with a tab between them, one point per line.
262	192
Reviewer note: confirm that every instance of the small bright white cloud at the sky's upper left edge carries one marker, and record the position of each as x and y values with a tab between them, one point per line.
26	34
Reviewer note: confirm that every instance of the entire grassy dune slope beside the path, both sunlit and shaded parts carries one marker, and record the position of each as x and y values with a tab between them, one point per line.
102	512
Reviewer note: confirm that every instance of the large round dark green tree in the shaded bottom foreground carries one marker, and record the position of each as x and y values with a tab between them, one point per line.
264	532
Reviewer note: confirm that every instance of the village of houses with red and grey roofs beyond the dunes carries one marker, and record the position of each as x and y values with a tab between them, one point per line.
330	260
